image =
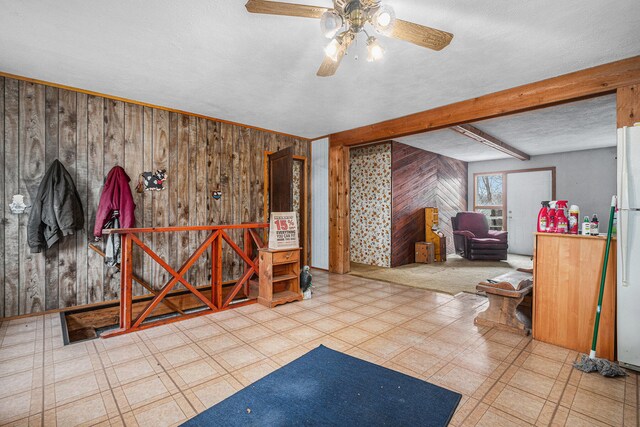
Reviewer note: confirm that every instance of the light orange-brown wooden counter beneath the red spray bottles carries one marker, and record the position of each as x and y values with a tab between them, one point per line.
567	271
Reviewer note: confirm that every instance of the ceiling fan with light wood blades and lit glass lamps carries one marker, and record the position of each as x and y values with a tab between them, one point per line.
347	19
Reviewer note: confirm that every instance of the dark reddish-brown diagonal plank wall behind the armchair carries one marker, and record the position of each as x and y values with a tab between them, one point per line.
421	179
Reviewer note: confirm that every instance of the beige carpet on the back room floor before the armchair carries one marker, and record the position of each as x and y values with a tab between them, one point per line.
456	275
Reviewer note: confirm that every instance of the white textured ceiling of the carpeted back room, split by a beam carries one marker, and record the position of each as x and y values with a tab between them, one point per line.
580	125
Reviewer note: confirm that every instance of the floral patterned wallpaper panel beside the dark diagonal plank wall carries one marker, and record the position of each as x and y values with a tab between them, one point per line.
371	204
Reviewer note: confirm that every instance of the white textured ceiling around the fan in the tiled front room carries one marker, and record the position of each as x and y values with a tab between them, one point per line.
212	57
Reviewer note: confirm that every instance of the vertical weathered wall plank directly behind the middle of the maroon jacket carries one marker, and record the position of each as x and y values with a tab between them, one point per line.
113	156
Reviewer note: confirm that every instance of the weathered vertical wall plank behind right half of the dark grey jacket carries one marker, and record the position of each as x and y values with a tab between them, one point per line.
67	257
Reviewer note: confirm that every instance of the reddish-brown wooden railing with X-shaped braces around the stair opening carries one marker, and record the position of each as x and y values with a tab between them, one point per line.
218	235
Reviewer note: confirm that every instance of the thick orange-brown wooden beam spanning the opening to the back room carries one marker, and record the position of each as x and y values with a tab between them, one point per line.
556	90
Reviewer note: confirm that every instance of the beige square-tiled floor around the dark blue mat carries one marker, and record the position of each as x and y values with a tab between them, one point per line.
165	375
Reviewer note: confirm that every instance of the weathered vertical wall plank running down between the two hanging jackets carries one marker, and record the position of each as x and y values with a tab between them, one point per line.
95	179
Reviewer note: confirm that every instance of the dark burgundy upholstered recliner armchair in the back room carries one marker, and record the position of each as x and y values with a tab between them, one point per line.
473	239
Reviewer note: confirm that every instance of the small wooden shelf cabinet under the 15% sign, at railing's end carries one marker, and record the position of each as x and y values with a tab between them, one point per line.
279	276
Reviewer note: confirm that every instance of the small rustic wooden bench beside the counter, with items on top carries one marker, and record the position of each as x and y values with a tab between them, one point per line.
506	294
